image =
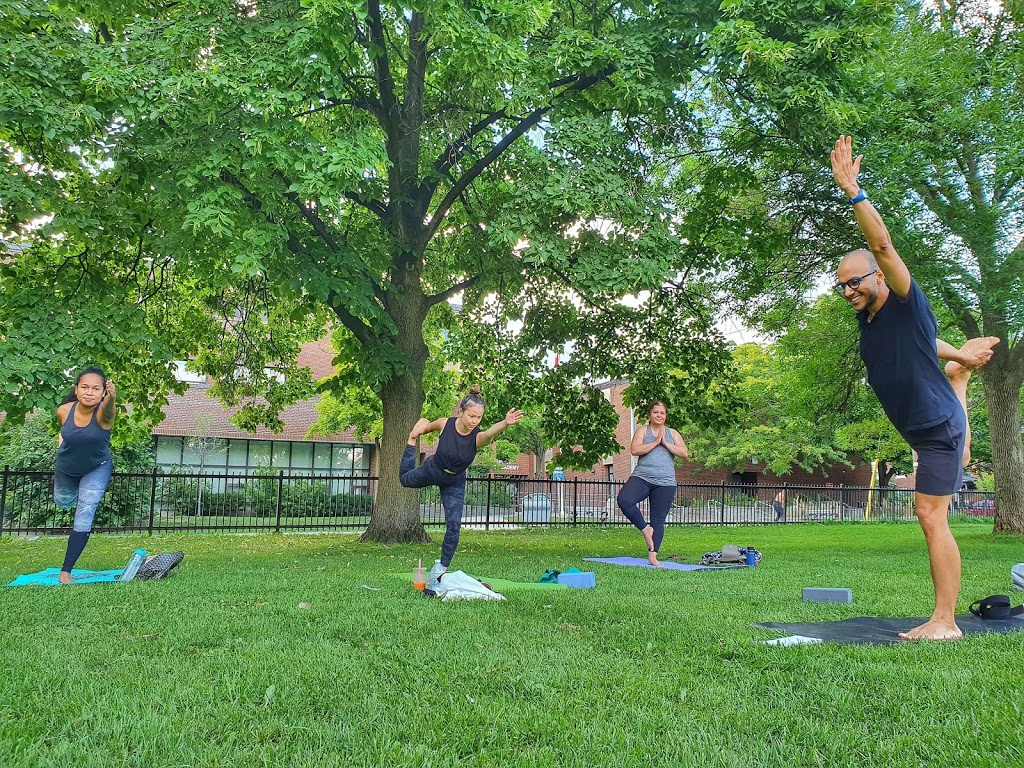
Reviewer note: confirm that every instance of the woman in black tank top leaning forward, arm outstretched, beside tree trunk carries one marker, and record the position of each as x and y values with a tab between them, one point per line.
461	437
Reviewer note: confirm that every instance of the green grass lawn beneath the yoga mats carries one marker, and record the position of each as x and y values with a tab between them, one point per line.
269	652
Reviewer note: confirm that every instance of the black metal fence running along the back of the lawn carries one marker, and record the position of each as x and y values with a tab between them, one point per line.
163	502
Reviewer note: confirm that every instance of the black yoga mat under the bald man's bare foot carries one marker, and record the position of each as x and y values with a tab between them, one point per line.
875	631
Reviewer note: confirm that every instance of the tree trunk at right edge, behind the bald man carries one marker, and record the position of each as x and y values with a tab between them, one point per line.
1003	396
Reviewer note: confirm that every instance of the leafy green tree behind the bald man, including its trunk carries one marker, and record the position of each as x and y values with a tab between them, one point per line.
933	97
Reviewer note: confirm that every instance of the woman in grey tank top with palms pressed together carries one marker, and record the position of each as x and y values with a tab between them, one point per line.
654	479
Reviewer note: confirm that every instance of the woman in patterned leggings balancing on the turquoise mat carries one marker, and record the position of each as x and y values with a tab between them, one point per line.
83	464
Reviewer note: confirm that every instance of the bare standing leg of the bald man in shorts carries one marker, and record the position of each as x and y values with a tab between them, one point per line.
945	560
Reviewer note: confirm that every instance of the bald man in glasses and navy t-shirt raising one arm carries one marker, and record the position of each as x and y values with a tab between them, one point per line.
901	349
